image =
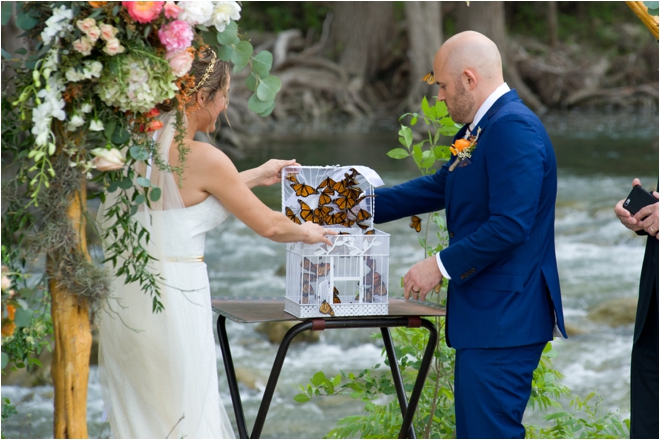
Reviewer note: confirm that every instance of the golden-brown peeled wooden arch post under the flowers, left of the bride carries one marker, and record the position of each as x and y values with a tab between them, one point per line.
73	340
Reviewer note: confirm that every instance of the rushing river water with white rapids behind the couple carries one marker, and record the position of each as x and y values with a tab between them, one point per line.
599	260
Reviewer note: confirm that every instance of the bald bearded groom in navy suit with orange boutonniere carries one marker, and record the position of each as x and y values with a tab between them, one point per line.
504	302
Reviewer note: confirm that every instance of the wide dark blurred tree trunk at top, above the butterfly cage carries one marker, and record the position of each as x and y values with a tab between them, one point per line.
361	33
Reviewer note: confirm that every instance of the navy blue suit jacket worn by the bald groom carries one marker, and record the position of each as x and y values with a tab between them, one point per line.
504	288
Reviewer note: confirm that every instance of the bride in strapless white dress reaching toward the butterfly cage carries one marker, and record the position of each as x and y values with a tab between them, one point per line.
158	370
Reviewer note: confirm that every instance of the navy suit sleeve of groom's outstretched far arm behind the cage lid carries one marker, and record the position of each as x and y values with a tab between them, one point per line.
417	196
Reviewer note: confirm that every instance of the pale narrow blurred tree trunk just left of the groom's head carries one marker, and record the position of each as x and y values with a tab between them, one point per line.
424	26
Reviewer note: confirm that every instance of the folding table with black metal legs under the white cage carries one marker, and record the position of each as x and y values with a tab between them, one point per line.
401	313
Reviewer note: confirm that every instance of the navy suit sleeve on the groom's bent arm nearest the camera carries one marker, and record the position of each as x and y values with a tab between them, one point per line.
515	166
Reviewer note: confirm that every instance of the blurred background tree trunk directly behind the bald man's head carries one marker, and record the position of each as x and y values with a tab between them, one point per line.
488	19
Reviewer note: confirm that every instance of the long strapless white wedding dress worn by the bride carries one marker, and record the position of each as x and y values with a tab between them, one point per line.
158	371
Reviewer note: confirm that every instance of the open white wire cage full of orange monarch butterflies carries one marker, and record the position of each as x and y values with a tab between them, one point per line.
349	278
